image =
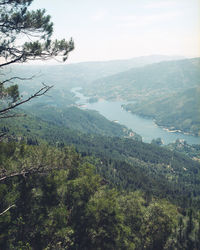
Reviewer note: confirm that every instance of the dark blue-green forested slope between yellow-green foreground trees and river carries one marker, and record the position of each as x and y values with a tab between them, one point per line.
126	163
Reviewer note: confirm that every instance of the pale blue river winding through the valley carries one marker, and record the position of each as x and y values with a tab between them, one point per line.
144	127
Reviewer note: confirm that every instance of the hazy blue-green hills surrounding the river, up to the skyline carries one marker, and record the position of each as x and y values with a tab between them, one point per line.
153	82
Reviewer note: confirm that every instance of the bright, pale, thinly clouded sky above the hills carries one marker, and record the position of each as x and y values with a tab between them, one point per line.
121	29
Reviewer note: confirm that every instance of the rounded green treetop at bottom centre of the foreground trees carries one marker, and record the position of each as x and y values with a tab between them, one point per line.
105	222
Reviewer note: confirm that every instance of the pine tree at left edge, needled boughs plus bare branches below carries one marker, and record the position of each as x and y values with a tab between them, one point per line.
25	35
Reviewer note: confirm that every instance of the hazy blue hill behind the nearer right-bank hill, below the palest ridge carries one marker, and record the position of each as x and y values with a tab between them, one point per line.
151	80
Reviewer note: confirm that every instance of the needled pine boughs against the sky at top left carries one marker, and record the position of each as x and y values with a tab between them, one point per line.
16	19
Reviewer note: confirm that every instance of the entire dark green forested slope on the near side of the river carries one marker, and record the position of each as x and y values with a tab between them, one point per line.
129	171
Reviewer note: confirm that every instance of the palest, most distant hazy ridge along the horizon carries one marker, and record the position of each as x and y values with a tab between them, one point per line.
80	74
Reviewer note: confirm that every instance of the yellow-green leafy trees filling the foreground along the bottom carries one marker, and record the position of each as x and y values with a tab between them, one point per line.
68	206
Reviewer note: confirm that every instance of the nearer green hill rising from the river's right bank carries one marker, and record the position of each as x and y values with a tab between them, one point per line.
180	111
